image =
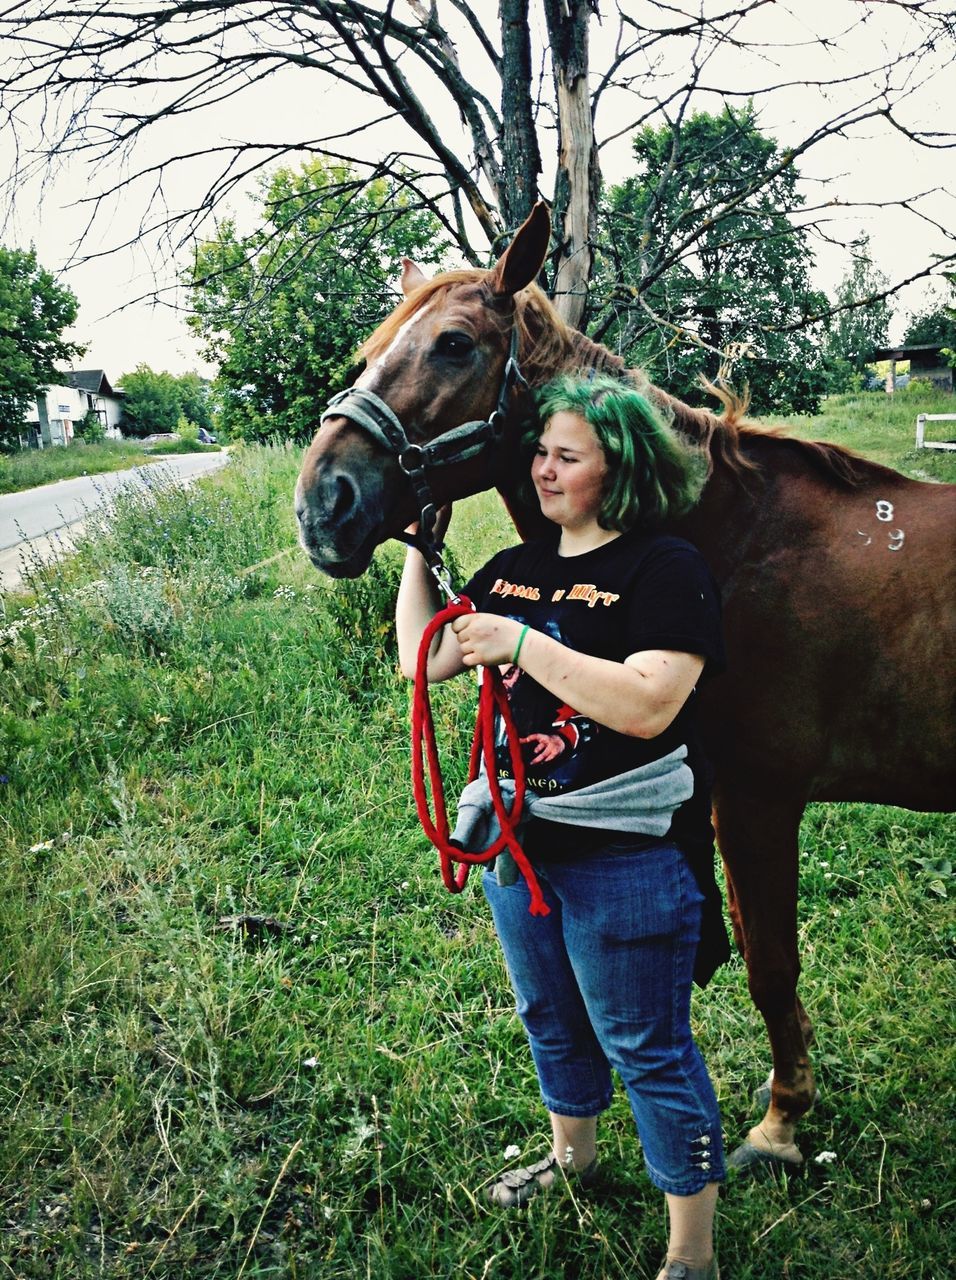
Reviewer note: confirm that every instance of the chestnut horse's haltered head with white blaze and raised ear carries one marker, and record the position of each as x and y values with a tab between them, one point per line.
437	363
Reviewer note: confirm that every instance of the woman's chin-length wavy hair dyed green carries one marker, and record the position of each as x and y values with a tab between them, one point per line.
653	476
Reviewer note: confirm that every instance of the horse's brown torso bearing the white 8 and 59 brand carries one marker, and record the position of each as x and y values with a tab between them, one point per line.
840	614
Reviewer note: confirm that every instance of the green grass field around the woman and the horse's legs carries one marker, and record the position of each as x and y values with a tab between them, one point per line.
190	738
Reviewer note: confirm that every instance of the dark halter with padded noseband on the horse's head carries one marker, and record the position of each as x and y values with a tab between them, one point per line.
369	412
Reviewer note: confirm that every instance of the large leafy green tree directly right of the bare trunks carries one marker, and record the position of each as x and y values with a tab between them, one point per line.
728	304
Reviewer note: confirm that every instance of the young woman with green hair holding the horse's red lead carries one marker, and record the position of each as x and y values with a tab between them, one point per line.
605	633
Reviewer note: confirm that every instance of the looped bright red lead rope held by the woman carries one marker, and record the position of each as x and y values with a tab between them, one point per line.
492	697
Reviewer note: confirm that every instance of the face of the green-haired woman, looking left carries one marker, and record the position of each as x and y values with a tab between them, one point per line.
569	472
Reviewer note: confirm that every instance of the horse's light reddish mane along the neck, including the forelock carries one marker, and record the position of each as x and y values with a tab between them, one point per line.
550	346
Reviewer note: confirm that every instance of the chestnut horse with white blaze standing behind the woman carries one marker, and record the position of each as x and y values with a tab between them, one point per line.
838	578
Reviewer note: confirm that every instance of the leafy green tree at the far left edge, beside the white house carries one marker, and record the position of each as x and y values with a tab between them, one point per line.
34	313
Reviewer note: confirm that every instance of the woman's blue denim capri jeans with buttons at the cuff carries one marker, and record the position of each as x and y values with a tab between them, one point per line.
605	982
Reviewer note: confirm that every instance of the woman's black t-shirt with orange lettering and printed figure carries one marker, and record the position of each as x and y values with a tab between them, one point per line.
635	593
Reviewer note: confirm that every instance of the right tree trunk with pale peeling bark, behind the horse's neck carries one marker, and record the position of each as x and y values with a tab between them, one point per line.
578	182
